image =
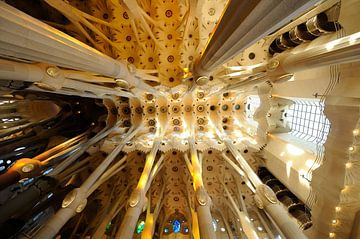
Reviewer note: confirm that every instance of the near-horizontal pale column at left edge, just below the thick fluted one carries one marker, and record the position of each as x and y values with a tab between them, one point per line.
52	78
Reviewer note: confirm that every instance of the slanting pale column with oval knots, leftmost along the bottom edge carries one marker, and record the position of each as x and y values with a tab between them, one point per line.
76	200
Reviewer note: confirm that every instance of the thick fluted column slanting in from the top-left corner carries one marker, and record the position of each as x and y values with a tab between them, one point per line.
25	37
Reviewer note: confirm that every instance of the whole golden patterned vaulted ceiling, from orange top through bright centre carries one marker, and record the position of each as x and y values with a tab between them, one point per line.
164	38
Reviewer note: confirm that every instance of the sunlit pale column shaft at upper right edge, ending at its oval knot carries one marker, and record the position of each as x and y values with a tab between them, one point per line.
339	51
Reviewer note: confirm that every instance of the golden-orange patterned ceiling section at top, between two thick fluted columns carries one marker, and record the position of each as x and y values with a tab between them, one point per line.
161	37
